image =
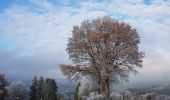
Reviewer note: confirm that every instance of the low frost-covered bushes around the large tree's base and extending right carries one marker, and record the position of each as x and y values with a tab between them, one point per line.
88	91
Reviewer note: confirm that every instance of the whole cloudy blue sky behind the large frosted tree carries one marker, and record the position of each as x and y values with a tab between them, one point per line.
34	33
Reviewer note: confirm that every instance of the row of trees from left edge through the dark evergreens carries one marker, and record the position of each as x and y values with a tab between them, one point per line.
40	89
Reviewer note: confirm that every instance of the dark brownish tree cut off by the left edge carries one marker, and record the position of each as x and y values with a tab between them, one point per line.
3	83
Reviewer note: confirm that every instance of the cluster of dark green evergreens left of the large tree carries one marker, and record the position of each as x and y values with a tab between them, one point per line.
43	89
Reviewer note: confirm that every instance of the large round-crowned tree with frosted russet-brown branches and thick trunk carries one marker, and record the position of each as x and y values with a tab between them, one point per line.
103	48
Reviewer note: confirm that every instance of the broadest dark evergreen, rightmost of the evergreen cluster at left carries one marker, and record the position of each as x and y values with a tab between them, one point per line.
50	89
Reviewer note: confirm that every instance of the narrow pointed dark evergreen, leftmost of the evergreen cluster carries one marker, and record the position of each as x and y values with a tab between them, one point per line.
33	89
